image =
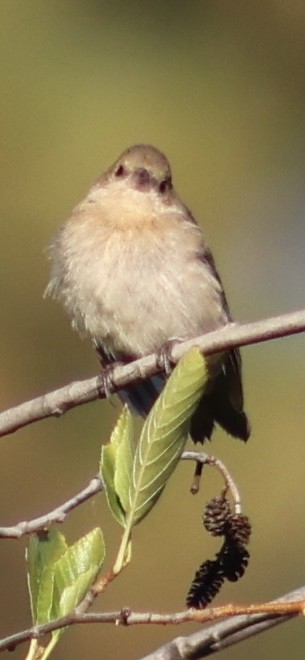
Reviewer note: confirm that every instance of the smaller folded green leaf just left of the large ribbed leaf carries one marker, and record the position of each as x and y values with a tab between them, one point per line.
116	465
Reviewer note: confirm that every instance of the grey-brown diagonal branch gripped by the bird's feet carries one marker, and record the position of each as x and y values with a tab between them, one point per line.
59	401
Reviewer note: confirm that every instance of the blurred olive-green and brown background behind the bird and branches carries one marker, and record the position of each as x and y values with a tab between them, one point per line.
220	88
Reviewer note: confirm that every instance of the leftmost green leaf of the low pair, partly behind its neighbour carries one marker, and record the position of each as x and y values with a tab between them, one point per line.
42	551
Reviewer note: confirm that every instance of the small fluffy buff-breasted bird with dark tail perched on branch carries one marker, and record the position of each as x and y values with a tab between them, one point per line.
133	271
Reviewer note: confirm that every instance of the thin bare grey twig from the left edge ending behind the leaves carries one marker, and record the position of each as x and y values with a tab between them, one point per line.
57	515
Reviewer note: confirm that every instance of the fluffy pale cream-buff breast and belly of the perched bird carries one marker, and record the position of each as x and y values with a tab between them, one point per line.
134	288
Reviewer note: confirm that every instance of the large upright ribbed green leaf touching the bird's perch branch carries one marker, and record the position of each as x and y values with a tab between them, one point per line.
164	434
